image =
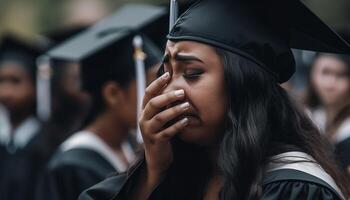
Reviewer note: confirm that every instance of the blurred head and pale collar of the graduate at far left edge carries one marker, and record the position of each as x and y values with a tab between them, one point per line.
17	91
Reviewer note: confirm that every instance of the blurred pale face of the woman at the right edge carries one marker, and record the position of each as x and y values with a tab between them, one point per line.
330	79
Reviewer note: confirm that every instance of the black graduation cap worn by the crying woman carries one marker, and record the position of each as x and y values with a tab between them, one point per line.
260	30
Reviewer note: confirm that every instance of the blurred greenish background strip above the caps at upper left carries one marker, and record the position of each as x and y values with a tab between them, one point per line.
33	16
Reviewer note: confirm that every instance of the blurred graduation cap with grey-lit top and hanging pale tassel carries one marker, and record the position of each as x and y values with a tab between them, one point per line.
105	51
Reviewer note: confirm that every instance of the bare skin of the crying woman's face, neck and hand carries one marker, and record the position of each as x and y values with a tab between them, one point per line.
192	90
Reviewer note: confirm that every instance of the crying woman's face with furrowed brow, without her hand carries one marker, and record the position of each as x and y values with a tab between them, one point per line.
197	69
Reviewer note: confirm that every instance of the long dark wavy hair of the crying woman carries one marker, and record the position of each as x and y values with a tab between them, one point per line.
261	121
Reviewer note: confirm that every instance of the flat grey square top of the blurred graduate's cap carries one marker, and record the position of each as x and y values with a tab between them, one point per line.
126	21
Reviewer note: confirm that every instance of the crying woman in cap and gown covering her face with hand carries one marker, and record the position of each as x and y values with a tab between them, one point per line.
218	125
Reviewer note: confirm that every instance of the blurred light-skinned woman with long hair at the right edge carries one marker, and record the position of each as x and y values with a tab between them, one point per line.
328	99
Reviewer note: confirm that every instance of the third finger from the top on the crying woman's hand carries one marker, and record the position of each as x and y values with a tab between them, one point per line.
164	117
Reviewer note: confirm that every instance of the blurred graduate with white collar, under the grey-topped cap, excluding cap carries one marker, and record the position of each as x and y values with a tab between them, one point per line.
103	146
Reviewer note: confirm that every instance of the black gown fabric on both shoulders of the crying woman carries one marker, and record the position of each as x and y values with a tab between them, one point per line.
283	184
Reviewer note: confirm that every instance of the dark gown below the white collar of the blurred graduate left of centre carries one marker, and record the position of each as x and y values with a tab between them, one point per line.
71	172
